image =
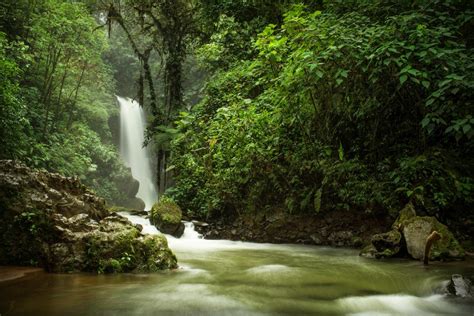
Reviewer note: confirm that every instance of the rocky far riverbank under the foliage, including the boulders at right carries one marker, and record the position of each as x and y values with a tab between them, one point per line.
406	237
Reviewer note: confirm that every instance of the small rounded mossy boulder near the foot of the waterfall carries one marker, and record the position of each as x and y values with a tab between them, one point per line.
166	216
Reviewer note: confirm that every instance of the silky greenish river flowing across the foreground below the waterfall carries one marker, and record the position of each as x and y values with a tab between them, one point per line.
219	277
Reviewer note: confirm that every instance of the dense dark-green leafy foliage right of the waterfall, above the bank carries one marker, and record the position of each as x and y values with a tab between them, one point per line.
359	110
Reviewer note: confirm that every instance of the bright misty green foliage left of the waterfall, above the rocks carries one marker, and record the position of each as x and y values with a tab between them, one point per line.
56	93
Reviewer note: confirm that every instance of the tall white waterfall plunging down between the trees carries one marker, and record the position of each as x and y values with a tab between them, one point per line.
135	156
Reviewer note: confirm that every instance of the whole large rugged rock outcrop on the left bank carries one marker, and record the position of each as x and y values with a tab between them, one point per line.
55	222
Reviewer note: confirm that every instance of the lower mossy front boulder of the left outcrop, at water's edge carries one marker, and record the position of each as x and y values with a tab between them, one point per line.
111	245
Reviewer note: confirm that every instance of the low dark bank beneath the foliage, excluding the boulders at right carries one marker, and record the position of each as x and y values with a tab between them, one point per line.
335	229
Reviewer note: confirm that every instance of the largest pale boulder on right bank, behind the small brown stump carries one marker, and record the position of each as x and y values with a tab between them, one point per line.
417	229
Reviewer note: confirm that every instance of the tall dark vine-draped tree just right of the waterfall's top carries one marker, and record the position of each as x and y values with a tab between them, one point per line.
162	28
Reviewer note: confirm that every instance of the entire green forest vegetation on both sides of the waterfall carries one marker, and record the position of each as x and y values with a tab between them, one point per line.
307	106
